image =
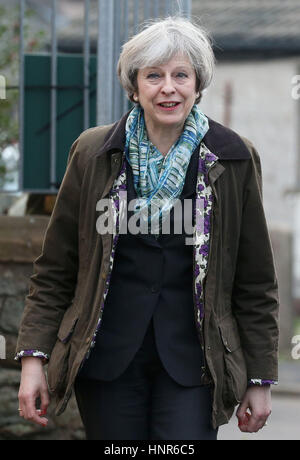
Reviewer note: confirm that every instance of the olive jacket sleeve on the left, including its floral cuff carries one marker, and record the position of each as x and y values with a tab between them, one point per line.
52	285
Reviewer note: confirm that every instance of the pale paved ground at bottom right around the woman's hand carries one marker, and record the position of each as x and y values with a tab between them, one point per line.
283	424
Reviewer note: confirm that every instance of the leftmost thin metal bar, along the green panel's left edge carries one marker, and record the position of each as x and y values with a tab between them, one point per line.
21	96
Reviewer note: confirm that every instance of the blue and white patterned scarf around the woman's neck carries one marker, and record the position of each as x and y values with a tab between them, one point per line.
159	179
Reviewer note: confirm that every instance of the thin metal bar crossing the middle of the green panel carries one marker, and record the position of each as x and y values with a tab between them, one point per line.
53	98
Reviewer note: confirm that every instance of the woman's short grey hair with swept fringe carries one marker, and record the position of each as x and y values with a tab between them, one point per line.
159	42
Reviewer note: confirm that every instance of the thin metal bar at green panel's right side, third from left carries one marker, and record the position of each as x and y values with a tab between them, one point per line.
86	77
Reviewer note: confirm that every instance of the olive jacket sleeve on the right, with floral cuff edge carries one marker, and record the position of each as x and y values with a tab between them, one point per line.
255	298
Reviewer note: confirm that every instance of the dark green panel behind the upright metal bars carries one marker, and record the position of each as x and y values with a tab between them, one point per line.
37	112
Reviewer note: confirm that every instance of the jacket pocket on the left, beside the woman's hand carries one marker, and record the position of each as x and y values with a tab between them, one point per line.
58	364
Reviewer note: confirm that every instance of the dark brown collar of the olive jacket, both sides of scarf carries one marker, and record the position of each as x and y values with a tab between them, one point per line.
221	141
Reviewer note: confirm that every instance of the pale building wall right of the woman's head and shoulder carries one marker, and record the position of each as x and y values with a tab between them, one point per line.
263	110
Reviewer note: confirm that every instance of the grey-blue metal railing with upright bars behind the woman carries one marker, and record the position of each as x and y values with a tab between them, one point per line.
117	21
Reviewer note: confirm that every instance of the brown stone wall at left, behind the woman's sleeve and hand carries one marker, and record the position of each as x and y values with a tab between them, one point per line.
20	243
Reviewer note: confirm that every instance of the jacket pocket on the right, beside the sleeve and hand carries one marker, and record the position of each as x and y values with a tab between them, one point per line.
235	371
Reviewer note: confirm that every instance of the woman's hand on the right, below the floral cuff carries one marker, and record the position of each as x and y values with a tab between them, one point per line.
258	400
